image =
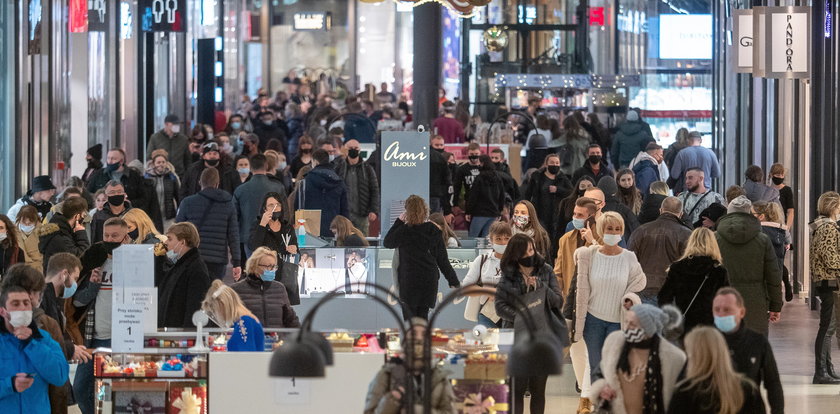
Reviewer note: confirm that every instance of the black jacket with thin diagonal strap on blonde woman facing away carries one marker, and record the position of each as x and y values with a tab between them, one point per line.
682	282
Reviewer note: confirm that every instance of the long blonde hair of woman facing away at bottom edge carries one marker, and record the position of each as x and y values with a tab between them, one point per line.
709	370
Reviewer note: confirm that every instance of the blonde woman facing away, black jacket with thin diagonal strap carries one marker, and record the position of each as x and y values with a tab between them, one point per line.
692	280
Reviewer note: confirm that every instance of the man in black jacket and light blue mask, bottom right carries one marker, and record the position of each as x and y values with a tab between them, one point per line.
751	353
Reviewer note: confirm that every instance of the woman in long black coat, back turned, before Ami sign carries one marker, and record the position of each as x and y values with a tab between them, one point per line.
422	257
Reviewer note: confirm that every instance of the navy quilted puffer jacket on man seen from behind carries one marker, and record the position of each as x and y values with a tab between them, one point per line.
213	213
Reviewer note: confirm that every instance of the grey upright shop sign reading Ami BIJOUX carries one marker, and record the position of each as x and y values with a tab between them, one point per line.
405	171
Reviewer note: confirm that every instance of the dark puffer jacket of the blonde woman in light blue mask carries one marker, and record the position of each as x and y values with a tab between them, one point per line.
268	301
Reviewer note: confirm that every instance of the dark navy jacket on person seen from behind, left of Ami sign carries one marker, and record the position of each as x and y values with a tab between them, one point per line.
322	189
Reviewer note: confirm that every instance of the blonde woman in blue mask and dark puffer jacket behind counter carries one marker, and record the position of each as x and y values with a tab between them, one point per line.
263	294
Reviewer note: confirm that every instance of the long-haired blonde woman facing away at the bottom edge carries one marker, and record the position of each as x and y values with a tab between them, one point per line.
711	385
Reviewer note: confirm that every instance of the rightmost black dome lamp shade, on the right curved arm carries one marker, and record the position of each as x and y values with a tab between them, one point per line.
533	358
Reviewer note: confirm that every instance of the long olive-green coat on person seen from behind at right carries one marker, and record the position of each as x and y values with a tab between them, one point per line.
753	268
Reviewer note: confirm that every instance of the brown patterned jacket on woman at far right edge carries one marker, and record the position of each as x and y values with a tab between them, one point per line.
825	249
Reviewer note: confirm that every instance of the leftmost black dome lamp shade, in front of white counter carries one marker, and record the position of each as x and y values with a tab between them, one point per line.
297	359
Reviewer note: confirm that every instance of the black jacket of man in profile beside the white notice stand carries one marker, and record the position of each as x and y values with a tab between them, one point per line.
182	289
